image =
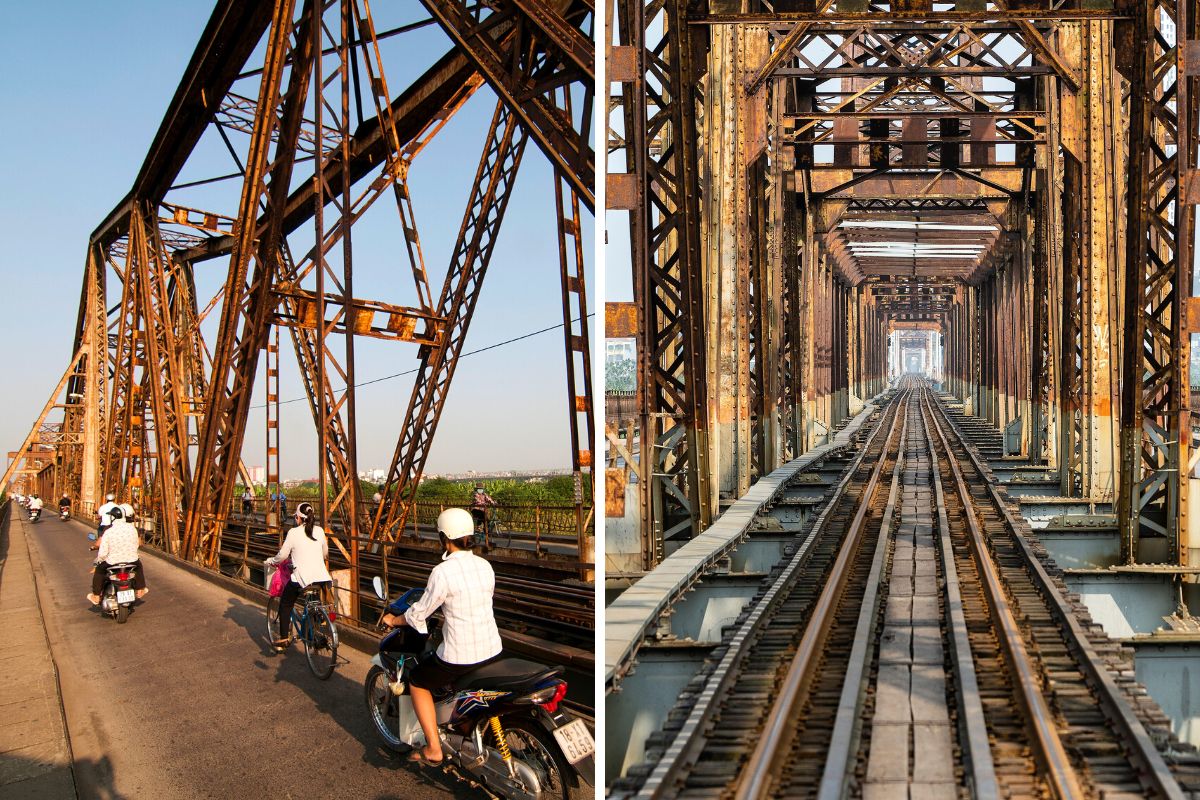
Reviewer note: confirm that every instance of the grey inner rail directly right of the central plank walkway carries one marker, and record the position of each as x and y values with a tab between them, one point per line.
975	725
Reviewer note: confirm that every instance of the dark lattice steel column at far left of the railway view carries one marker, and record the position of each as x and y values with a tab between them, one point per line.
663	196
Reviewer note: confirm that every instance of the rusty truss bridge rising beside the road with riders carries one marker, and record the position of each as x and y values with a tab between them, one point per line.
303	100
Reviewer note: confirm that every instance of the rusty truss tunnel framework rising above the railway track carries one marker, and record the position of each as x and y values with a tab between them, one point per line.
808	181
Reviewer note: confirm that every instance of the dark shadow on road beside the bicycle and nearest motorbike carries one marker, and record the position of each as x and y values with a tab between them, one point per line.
340	699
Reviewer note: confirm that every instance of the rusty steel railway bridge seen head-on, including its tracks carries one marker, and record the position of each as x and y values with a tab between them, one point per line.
819	195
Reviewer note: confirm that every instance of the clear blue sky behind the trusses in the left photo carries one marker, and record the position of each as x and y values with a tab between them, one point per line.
88	87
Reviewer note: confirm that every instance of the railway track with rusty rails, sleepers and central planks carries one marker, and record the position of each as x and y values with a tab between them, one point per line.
915	646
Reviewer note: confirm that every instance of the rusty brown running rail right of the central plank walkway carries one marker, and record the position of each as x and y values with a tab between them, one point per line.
1061	774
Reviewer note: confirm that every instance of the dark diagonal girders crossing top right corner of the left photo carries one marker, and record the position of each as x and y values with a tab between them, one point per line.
549	56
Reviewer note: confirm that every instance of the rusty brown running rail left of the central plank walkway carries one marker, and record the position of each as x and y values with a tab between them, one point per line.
763	768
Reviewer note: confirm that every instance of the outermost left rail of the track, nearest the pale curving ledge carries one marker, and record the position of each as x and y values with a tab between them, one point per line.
683	749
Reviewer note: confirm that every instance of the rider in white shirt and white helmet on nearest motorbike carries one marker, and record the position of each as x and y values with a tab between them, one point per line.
463	587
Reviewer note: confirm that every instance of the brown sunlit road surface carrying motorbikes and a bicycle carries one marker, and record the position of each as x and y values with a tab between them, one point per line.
187	700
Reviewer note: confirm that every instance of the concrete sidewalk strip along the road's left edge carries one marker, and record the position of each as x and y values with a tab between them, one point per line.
35	754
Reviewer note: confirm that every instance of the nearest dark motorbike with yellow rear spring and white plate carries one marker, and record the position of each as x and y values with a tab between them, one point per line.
502	725
